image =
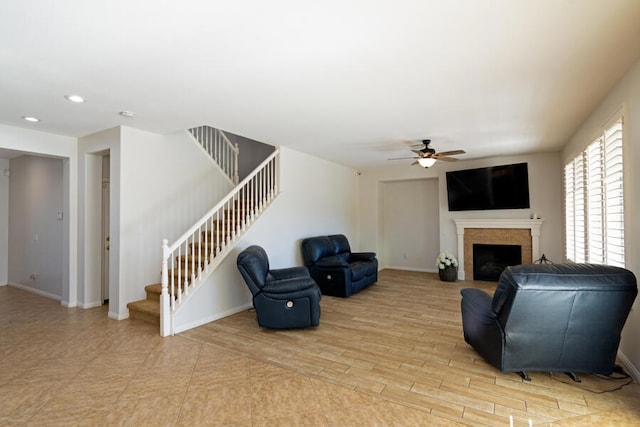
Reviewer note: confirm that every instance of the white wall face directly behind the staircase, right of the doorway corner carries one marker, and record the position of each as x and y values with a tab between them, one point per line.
168	184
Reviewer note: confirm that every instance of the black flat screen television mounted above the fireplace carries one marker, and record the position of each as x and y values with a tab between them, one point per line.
495	187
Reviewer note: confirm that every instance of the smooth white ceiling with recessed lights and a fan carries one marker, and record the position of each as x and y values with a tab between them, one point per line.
354	82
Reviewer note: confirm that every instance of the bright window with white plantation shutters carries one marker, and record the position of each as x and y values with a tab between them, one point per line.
594	208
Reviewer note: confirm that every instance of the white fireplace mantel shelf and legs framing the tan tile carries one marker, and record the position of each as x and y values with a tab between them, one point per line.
532	224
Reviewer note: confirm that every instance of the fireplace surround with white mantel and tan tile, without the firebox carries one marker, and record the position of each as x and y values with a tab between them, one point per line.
525	232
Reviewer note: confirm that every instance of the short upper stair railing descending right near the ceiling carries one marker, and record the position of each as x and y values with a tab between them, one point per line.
222	151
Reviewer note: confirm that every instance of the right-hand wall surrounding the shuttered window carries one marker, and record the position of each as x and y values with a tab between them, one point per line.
625	94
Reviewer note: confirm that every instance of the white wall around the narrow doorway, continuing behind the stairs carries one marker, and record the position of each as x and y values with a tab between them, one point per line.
159	186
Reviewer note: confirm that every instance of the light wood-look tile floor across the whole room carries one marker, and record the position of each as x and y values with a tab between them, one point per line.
391	355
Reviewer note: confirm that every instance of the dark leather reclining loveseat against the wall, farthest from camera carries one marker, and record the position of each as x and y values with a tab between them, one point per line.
337	270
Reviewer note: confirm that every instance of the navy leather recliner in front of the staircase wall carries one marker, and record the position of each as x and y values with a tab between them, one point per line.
283	298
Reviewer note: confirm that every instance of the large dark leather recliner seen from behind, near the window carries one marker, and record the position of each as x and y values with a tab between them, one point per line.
550	318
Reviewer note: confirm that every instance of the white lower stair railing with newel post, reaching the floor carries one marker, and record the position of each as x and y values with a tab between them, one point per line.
194	256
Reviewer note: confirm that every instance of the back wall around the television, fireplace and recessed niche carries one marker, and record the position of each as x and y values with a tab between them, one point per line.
545	192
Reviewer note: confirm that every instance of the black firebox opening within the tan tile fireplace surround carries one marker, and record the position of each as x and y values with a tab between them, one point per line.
490	260
